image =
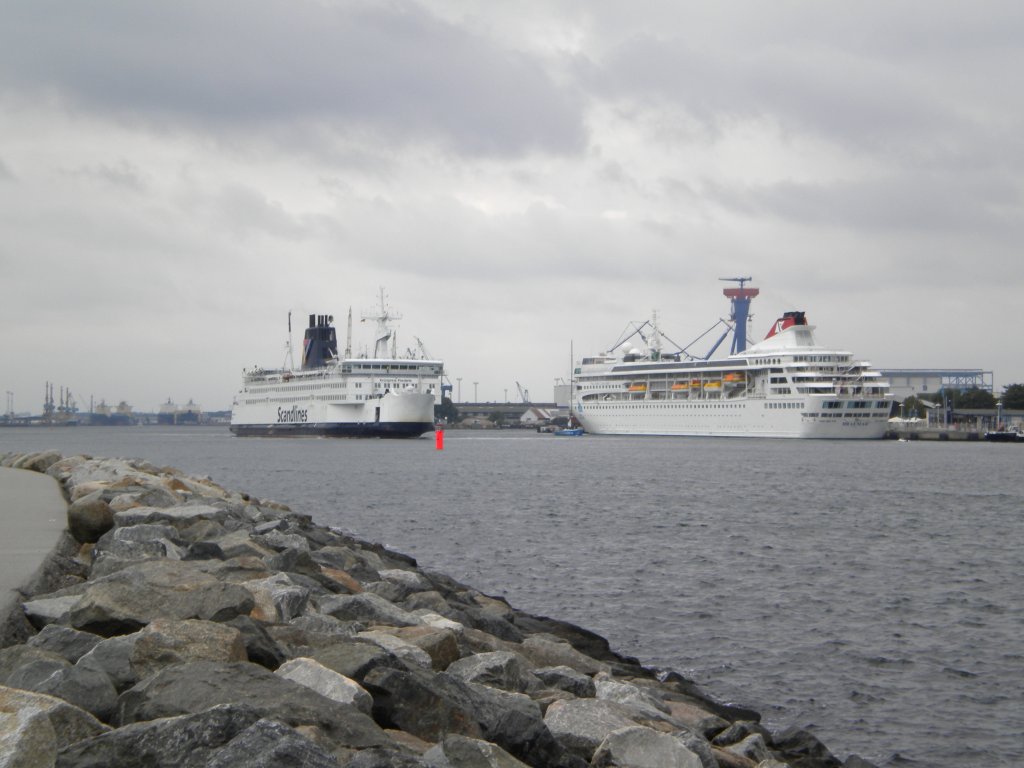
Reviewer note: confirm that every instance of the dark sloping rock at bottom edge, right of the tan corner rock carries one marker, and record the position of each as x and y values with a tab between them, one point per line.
184	742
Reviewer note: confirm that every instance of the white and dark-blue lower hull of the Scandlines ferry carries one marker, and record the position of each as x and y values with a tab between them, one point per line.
392	415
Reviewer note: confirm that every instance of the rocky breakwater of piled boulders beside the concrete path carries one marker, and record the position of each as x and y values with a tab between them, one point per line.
179	624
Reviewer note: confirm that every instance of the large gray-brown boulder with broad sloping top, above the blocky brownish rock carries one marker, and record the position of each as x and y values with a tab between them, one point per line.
132	599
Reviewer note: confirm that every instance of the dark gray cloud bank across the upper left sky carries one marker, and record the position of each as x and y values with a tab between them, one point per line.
371	67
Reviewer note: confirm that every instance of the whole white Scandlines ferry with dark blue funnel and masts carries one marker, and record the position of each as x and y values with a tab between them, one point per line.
381	396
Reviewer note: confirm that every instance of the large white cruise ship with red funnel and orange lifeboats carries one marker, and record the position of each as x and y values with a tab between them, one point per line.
784	387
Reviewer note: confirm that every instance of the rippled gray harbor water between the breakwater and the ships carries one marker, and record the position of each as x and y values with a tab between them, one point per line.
868	591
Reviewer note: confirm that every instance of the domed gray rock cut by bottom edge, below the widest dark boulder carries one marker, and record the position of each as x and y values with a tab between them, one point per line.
270	745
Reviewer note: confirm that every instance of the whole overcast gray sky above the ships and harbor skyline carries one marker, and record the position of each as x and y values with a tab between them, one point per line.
522	179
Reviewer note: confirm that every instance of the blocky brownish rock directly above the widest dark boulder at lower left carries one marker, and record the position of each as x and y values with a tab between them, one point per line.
166	642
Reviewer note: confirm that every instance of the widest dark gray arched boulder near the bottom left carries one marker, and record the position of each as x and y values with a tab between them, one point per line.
190	689
